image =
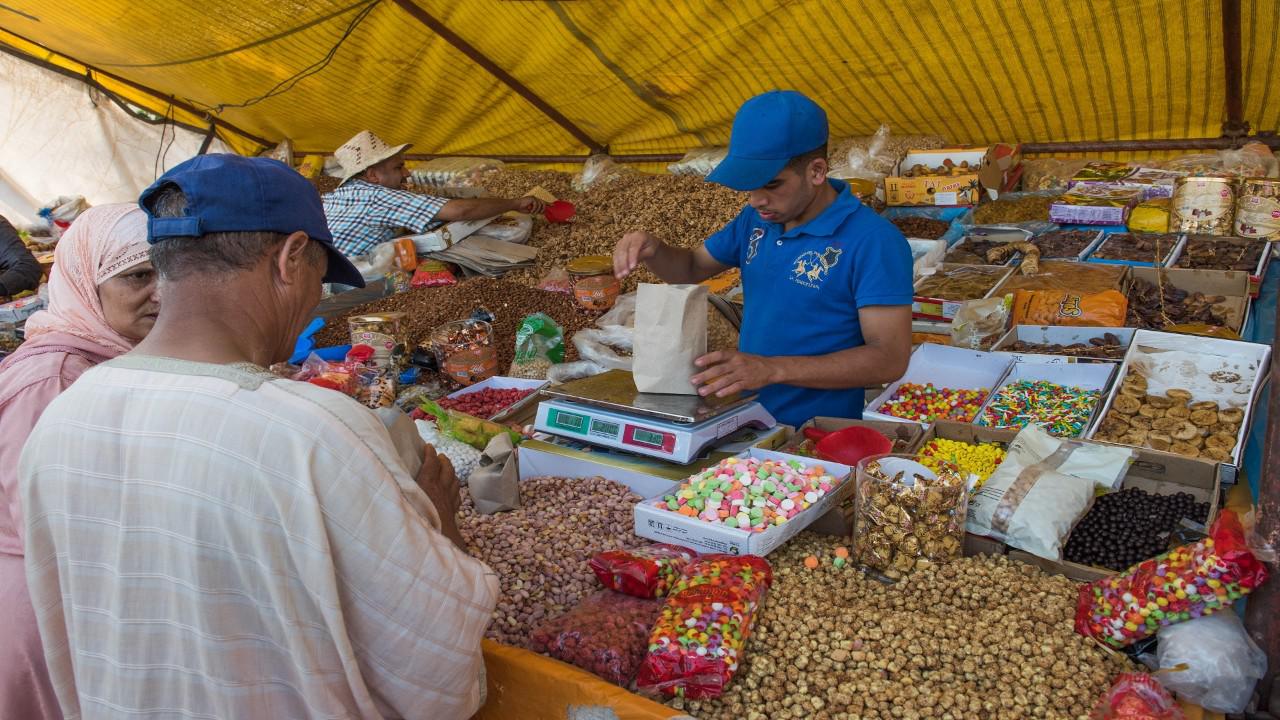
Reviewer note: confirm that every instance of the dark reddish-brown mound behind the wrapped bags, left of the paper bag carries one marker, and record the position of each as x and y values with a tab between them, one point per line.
428	308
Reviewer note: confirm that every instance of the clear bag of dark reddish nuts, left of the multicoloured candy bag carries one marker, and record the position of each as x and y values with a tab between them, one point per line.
607	635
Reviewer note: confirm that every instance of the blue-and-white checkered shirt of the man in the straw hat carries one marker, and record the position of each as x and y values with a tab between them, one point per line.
363	216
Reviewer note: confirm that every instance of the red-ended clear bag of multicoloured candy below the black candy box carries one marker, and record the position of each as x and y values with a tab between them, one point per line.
1187	582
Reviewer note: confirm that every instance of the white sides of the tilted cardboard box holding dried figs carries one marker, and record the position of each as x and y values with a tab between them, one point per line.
1251	354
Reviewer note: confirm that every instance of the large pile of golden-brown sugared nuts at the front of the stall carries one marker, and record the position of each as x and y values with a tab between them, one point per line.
979	637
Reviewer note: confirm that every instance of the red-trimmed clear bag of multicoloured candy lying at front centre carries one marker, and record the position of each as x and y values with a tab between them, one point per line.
697	645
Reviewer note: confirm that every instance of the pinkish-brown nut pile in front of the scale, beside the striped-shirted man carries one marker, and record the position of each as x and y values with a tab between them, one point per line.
541	552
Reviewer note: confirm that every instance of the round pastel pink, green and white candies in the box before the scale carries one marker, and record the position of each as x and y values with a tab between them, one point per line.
749	494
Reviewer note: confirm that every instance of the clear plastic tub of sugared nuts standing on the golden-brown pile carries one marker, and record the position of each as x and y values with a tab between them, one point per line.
907	517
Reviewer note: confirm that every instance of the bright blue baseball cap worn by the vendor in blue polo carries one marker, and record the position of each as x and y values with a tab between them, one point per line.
769	131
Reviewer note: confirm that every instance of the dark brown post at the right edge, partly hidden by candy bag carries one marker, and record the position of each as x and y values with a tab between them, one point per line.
1264	605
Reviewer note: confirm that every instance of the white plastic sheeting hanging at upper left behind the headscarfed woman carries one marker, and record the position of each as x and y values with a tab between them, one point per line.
58	136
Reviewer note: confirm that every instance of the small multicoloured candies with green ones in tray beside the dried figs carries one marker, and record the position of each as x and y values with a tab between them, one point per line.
1064	412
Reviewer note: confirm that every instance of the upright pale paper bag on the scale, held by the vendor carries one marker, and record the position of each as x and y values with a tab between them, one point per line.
670	335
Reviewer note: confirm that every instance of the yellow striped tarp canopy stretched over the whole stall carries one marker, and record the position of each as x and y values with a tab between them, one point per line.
656	78
